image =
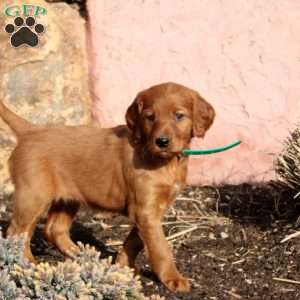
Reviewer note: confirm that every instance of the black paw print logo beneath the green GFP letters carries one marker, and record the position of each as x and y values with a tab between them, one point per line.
24	32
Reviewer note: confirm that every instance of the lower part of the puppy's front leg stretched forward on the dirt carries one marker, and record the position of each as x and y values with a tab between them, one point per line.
161	258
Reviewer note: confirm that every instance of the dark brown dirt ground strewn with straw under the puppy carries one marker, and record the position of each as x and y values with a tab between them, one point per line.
226	240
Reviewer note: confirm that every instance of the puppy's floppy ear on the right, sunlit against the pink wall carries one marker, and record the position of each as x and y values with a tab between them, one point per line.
203	115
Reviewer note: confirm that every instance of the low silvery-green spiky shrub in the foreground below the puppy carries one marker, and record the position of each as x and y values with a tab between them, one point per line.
86	278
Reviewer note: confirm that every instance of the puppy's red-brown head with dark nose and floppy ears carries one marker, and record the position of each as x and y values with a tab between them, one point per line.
165	117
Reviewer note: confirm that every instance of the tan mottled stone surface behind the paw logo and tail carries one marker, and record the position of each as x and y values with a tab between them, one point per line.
48	83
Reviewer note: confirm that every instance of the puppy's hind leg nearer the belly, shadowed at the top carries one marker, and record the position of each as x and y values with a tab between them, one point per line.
58	226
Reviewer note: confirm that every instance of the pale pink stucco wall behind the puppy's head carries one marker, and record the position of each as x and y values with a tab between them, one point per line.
242	56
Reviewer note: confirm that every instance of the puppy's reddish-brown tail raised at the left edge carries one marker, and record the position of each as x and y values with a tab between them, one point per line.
18	125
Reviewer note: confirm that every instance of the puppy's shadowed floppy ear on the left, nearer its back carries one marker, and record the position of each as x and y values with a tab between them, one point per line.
132	115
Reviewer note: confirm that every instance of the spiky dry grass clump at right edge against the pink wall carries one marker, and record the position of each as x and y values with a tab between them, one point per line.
287	163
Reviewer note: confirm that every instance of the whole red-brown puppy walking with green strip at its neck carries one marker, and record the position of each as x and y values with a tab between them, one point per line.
135	170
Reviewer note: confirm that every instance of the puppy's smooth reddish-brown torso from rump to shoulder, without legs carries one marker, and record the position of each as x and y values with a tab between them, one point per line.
73	162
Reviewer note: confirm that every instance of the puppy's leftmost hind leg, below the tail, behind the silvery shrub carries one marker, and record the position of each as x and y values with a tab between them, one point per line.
28	209
